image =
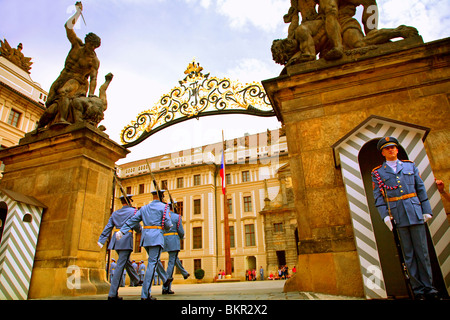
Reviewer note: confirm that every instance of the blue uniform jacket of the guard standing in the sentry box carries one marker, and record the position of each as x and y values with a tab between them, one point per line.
408	211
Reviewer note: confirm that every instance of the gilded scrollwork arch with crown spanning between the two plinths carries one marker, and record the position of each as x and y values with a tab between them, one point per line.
198	95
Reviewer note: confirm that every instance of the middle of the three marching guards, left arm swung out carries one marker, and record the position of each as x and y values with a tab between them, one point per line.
156	217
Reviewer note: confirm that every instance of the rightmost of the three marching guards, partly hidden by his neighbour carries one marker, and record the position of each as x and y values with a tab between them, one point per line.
172	246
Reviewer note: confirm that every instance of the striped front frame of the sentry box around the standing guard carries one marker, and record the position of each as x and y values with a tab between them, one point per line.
346	153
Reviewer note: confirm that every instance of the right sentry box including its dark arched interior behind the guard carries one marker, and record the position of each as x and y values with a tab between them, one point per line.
355	156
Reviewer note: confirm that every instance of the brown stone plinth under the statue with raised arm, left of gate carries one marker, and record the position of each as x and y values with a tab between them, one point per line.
71	171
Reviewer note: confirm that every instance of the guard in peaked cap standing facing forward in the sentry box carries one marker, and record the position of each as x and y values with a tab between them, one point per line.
399	181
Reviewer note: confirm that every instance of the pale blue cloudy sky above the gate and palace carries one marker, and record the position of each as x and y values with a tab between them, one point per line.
147	45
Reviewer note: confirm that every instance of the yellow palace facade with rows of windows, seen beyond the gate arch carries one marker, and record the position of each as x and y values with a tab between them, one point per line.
253	185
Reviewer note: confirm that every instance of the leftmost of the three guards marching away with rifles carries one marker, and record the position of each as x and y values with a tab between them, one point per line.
123	246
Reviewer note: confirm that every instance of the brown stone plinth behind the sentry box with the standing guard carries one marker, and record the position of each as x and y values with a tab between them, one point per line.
319	104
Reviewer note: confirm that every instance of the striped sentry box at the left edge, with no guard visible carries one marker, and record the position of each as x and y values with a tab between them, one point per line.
18	243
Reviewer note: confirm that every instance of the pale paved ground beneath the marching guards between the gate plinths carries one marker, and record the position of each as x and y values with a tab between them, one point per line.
244	290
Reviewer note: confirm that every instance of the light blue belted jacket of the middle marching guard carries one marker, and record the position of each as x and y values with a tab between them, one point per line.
151	215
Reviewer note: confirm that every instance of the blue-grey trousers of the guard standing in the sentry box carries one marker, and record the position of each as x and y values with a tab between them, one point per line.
415	250
